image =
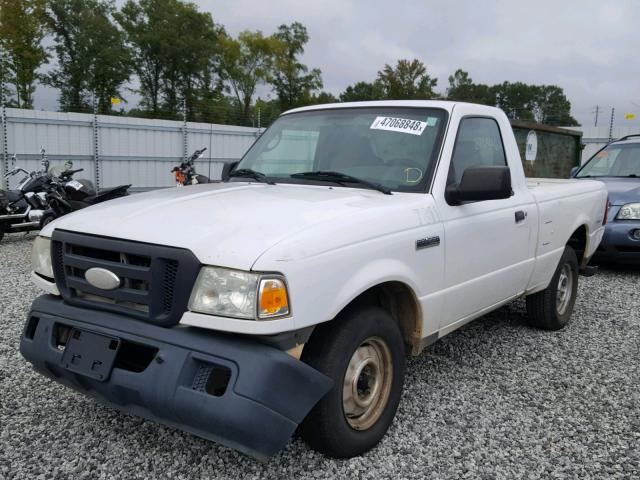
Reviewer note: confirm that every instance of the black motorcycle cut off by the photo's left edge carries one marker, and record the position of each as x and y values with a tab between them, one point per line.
22	209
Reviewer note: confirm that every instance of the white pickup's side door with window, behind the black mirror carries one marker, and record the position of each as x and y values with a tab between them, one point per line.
488	243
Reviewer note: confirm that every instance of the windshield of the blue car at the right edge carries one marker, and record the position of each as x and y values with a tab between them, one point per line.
617	160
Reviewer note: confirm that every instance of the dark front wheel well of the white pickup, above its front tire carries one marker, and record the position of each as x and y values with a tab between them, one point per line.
398	299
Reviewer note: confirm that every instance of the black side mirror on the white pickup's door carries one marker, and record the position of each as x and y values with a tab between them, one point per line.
481	183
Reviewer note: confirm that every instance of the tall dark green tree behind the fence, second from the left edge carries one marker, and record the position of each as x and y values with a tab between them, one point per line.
92	56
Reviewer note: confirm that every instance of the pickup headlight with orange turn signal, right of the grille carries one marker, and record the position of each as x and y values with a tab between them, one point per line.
237	294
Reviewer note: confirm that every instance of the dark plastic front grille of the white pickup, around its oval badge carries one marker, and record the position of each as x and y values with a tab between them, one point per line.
155	281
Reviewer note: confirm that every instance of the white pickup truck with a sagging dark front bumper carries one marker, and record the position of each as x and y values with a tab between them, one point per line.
287	295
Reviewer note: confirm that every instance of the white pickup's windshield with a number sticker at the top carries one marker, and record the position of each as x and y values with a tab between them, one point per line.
392	147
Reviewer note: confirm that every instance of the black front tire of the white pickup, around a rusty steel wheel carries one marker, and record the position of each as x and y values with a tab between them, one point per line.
330	350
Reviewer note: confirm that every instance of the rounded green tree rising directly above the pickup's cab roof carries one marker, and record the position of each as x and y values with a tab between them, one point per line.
408	80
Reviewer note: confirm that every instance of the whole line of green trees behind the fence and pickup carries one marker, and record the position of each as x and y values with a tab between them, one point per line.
181	60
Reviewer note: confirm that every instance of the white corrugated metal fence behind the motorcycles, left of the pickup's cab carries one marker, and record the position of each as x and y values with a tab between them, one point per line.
139	151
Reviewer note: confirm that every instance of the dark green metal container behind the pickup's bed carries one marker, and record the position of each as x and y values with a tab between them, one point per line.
548	152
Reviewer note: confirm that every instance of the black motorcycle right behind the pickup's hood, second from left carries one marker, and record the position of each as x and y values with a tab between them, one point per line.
67	195
